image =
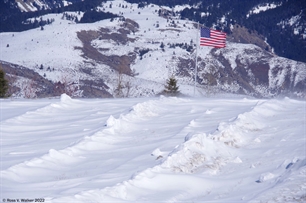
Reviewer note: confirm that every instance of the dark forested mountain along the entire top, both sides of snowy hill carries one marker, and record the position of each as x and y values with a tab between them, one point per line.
279	23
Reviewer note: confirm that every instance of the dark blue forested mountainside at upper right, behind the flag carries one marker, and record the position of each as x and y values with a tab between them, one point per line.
271	19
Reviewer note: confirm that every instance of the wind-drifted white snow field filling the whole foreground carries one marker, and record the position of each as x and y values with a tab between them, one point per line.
217	149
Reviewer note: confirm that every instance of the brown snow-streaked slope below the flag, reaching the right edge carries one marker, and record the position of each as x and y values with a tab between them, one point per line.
252	77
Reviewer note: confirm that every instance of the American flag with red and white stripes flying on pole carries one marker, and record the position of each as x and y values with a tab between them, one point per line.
212	38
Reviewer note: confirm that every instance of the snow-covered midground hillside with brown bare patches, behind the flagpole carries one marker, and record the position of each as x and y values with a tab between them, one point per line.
142	50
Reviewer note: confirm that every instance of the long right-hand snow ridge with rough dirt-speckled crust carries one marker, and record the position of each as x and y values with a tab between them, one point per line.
201	152
